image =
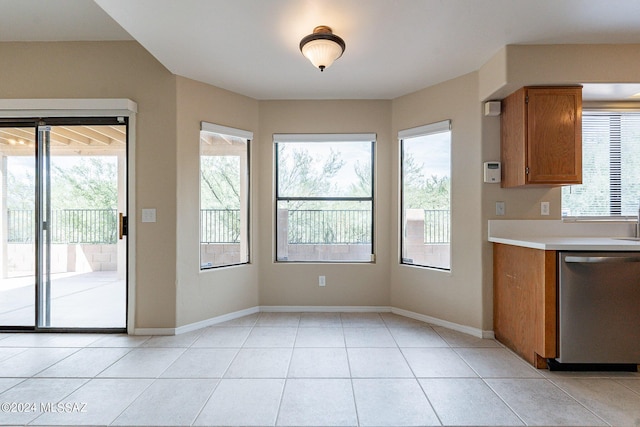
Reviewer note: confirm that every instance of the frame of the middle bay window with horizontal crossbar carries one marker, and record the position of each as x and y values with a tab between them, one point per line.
324	138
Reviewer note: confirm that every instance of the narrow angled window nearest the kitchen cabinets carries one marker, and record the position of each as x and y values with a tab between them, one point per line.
426	195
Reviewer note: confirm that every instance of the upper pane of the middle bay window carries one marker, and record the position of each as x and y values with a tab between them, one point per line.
324	169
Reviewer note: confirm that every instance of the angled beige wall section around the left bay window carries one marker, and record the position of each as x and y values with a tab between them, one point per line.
207	294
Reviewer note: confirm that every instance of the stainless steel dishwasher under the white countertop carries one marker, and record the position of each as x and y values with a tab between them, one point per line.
599	307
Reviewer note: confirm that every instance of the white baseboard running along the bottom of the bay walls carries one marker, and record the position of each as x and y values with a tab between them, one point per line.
479	333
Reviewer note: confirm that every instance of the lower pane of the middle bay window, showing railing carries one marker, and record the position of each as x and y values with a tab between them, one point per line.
324	230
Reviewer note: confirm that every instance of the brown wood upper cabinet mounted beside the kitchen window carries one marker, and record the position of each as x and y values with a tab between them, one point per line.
541	136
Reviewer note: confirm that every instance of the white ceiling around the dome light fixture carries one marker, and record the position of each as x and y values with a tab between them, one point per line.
394	47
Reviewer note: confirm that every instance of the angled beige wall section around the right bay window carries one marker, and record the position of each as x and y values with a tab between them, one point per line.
454	296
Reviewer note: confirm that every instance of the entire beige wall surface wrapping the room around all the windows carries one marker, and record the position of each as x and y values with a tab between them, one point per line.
172	292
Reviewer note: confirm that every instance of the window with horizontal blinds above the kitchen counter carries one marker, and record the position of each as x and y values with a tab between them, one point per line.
610	167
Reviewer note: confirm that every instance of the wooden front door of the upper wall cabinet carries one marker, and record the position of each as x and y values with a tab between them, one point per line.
554	135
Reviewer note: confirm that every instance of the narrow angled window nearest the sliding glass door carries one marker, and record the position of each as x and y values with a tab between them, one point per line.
224	196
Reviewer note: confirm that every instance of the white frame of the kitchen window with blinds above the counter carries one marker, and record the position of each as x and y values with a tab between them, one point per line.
601	109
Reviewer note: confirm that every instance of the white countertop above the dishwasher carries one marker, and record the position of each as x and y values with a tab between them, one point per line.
559	236
